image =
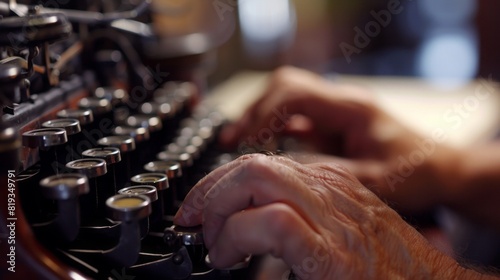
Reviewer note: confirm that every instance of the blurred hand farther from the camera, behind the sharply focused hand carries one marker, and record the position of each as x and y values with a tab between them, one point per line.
344	121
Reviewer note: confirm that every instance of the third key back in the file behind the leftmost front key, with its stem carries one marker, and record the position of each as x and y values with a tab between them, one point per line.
112	156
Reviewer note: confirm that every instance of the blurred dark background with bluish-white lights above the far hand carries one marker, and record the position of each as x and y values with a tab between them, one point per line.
448	42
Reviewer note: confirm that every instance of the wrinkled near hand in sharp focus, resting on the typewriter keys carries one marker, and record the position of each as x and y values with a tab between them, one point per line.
318	218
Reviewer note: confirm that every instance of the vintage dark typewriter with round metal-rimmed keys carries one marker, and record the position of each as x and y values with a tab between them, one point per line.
103	132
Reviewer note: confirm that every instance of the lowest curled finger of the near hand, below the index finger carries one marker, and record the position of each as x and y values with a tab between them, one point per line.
275	229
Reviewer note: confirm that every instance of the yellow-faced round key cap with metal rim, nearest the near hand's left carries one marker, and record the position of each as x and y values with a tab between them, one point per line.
127	208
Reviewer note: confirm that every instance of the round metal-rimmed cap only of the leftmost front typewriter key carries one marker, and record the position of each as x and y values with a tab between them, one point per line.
64	186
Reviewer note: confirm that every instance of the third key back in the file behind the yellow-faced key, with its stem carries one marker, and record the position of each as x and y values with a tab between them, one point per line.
164	205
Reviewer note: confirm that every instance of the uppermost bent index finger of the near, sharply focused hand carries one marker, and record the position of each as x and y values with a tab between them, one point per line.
256	182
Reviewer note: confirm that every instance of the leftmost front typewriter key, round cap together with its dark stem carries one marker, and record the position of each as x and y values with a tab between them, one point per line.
65	189
